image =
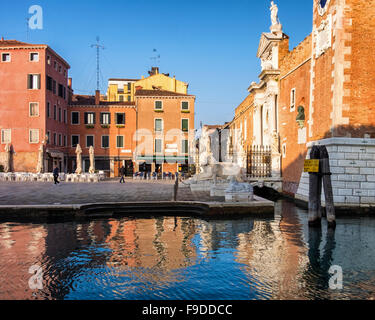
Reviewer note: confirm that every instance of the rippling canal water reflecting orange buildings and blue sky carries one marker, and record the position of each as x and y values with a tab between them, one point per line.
188	258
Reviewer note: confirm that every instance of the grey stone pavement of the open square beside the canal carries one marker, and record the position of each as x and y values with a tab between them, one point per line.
46	193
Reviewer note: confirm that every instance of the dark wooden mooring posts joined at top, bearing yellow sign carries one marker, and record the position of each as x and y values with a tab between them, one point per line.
320	177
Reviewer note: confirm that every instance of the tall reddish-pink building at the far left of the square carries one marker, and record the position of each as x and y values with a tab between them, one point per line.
33	104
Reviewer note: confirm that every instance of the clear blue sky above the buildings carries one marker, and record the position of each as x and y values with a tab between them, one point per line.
210	44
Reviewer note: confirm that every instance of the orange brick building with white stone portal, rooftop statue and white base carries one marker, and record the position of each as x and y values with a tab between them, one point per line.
320	93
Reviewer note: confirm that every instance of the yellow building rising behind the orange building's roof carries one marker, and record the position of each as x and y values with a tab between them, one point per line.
124	89
